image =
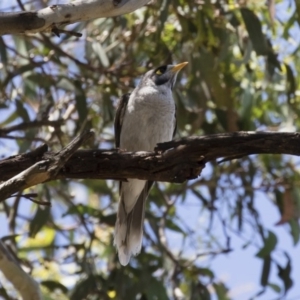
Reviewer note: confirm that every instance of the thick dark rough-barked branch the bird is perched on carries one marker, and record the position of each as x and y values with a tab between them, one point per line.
174	161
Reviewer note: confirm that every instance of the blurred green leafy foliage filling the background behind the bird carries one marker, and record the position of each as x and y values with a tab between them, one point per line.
242	75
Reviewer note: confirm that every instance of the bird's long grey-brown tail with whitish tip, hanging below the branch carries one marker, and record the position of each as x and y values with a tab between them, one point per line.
129	228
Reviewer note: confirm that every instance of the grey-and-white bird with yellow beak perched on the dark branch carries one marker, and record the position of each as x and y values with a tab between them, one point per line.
144	118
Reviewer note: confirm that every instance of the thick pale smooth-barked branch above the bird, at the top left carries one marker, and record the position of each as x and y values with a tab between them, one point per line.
49	18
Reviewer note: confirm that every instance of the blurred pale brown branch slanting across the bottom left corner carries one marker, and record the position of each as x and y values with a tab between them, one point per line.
27	287
